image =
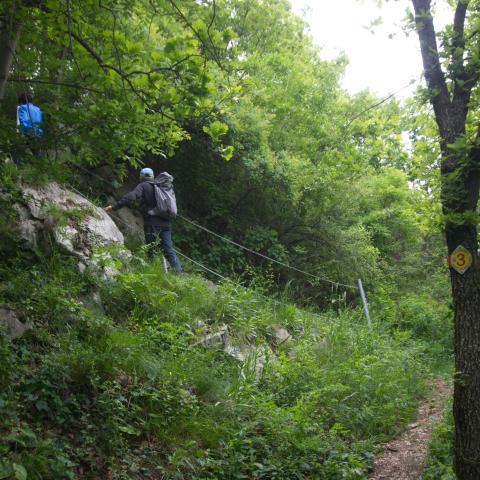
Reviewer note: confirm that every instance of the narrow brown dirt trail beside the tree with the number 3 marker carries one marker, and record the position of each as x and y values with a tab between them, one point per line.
403	458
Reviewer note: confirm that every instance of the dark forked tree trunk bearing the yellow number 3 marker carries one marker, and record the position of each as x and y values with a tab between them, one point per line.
460	172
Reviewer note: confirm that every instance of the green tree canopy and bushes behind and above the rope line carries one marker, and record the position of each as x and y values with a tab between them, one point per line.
311	180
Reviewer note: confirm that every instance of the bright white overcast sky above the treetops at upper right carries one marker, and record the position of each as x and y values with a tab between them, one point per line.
383	65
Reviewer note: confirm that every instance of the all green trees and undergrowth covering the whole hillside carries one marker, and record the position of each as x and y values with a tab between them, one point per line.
234	100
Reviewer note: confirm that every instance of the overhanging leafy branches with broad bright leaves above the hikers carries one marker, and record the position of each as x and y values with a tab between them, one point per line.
114	79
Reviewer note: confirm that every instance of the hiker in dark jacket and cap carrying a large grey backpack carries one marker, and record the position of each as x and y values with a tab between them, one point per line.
158	206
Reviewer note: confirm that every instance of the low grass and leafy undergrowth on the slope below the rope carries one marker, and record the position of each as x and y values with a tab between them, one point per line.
126	388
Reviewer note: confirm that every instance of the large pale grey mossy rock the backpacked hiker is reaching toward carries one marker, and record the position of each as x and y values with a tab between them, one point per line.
75	224
